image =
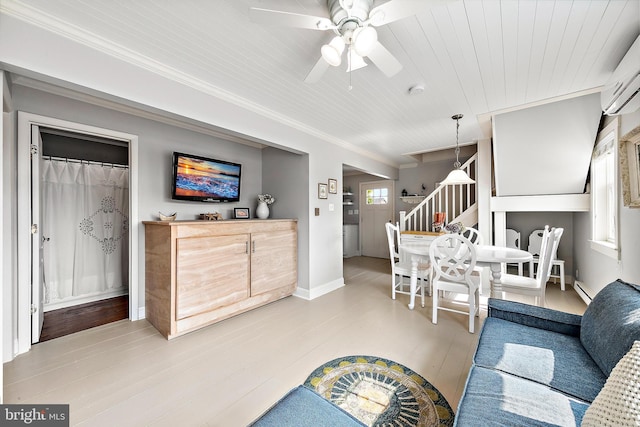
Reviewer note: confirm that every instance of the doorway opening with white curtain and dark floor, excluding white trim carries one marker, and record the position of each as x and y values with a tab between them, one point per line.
84	219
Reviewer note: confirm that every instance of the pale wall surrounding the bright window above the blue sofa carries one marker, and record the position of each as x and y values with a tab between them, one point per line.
595	269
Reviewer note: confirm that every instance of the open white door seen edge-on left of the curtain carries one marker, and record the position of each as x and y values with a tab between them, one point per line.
37	239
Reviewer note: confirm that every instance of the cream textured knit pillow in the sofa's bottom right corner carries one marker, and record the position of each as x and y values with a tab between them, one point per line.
618	404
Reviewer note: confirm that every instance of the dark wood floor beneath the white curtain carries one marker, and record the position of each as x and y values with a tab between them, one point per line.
65	321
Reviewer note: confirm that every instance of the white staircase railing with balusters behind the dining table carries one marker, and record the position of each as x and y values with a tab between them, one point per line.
456	201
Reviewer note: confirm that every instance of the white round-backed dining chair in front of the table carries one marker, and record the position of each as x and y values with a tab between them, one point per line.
453	259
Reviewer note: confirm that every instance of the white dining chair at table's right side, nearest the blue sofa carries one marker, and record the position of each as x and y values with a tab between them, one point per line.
537	286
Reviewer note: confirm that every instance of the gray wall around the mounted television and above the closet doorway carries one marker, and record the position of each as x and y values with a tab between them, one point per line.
156	143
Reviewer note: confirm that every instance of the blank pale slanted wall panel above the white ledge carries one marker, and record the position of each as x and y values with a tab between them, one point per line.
545	149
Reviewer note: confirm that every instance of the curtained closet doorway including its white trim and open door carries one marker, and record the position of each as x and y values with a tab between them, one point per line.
79	209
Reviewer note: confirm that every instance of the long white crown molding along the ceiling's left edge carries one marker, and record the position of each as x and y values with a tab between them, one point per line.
79	35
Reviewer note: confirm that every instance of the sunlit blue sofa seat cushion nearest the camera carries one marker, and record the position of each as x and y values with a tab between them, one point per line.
494	398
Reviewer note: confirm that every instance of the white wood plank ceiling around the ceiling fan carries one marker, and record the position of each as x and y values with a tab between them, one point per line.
473	57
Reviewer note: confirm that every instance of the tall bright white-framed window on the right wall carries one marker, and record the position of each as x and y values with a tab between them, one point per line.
604	192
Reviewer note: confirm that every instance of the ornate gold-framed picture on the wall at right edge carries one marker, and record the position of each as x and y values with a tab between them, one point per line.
629	157
